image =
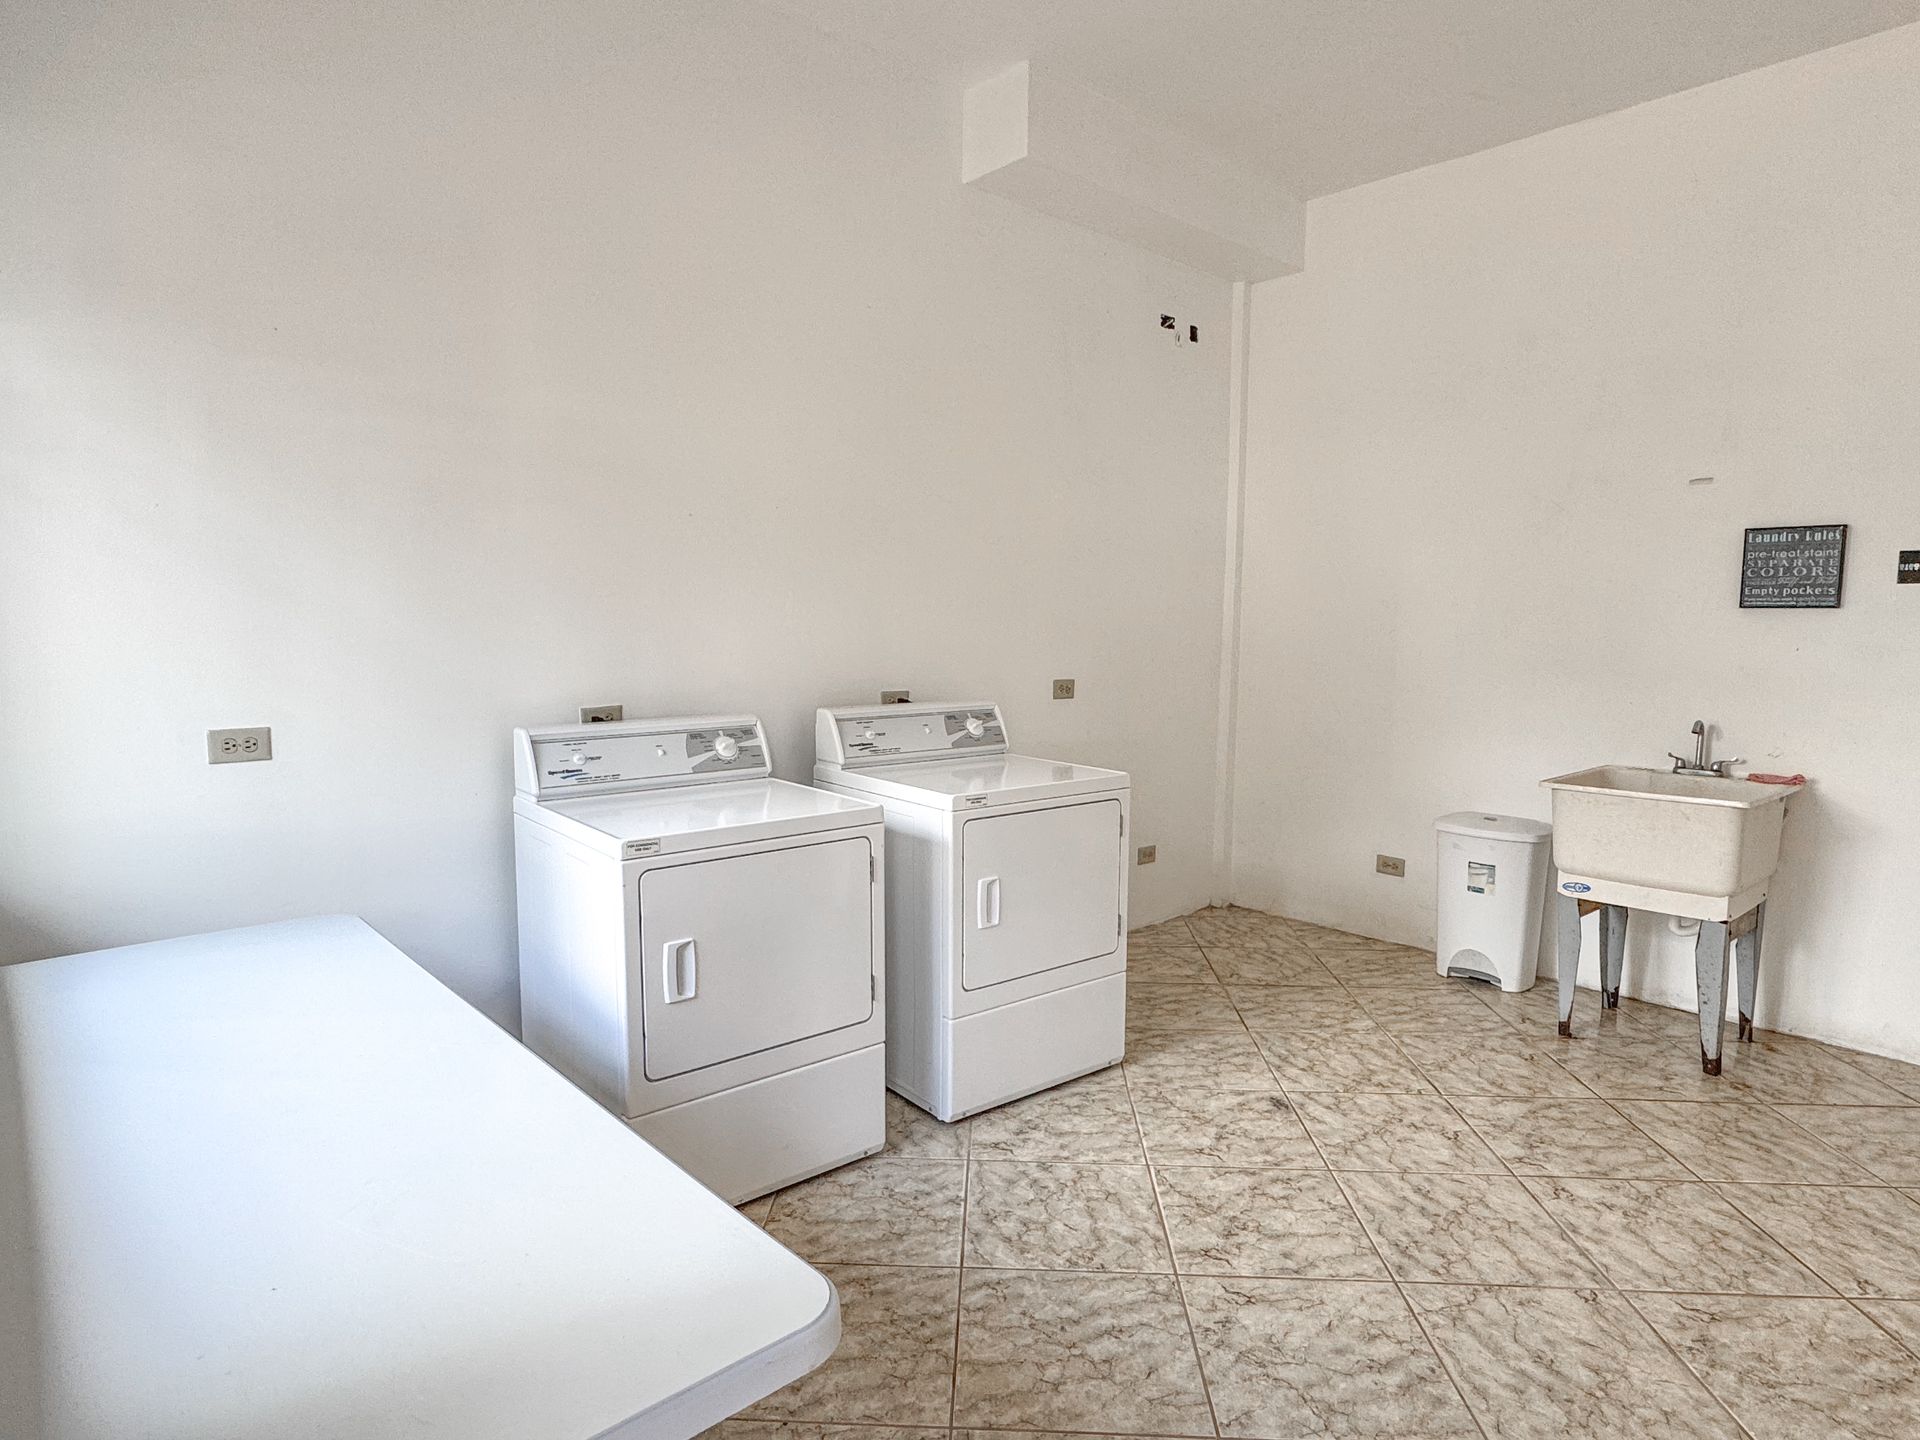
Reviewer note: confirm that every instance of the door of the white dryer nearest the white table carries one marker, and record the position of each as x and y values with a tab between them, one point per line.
754	951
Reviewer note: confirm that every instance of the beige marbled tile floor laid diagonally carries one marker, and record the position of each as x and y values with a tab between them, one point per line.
1335	1195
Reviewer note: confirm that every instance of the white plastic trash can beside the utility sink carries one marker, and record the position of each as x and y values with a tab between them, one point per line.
1491	888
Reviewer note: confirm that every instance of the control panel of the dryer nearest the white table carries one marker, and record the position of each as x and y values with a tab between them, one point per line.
638	756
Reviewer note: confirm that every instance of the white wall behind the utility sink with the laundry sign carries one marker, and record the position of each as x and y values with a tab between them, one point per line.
1472	552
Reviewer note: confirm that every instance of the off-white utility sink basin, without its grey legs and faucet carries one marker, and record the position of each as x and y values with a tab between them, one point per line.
1658	830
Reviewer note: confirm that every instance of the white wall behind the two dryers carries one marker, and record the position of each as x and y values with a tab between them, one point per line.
395	375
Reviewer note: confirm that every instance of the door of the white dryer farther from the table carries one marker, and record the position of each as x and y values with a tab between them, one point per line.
1038	890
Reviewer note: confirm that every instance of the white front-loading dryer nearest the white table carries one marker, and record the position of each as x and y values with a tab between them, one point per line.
702	946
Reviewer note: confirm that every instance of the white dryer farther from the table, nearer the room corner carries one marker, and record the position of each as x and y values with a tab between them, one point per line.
1007	907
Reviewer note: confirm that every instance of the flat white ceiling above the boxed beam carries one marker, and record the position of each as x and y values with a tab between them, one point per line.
1335	93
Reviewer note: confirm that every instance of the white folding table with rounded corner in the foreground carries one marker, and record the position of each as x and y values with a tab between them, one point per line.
279	1182
